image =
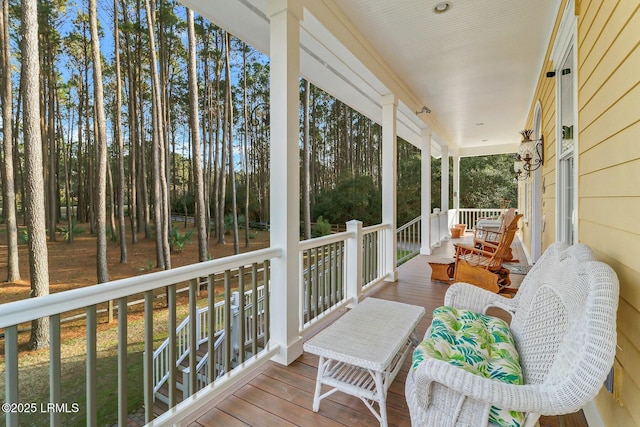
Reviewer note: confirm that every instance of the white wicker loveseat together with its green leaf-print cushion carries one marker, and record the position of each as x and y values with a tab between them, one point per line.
555	354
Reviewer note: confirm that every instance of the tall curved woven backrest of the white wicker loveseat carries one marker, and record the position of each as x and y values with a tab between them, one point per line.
556	325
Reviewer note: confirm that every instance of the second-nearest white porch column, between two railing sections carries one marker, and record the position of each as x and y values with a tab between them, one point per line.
389	174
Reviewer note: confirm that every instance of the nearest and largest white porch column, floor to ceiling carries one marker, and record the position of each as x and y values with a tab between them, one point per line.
285	16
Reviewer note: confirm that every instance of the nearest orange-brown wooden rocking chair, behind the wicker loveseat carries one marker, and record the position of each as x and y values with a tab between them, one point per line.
482	266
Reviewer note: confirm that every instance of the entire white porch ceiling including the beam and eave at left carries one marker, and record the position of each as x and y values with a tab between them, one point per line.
477	63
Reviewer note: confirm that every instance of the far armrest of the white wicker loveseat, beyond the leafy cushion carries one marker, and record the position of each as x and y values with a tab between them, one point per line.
470	297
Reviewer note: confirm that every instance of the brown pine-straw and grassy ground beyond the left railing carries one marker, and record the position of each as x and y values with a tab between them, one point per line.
72	266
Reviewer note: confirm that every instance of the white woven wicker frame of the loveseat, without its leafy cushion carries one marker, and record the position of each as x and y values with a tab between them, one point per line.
564	326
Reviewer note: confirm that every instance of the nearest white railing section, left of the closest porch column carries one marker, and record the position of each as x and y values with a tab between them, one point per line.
130	354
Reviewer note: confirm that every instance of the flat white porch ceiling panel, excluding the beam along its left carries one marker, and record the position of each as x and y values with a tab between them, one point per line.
477	63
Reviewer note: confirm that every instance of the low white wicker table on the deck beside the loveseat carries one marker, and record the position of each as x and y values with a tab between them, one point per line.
362	352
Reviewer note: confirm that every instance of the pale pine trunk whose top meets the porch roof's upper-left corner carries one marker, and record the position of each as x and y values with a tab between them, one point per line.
200	220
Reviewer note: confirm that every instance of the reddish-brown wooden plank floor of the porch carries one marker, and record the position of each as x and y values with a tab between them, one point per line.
282	395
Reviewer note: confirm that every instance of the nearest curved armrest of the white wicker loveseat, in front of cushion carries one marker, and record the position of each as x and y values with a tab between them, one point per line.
523	398
